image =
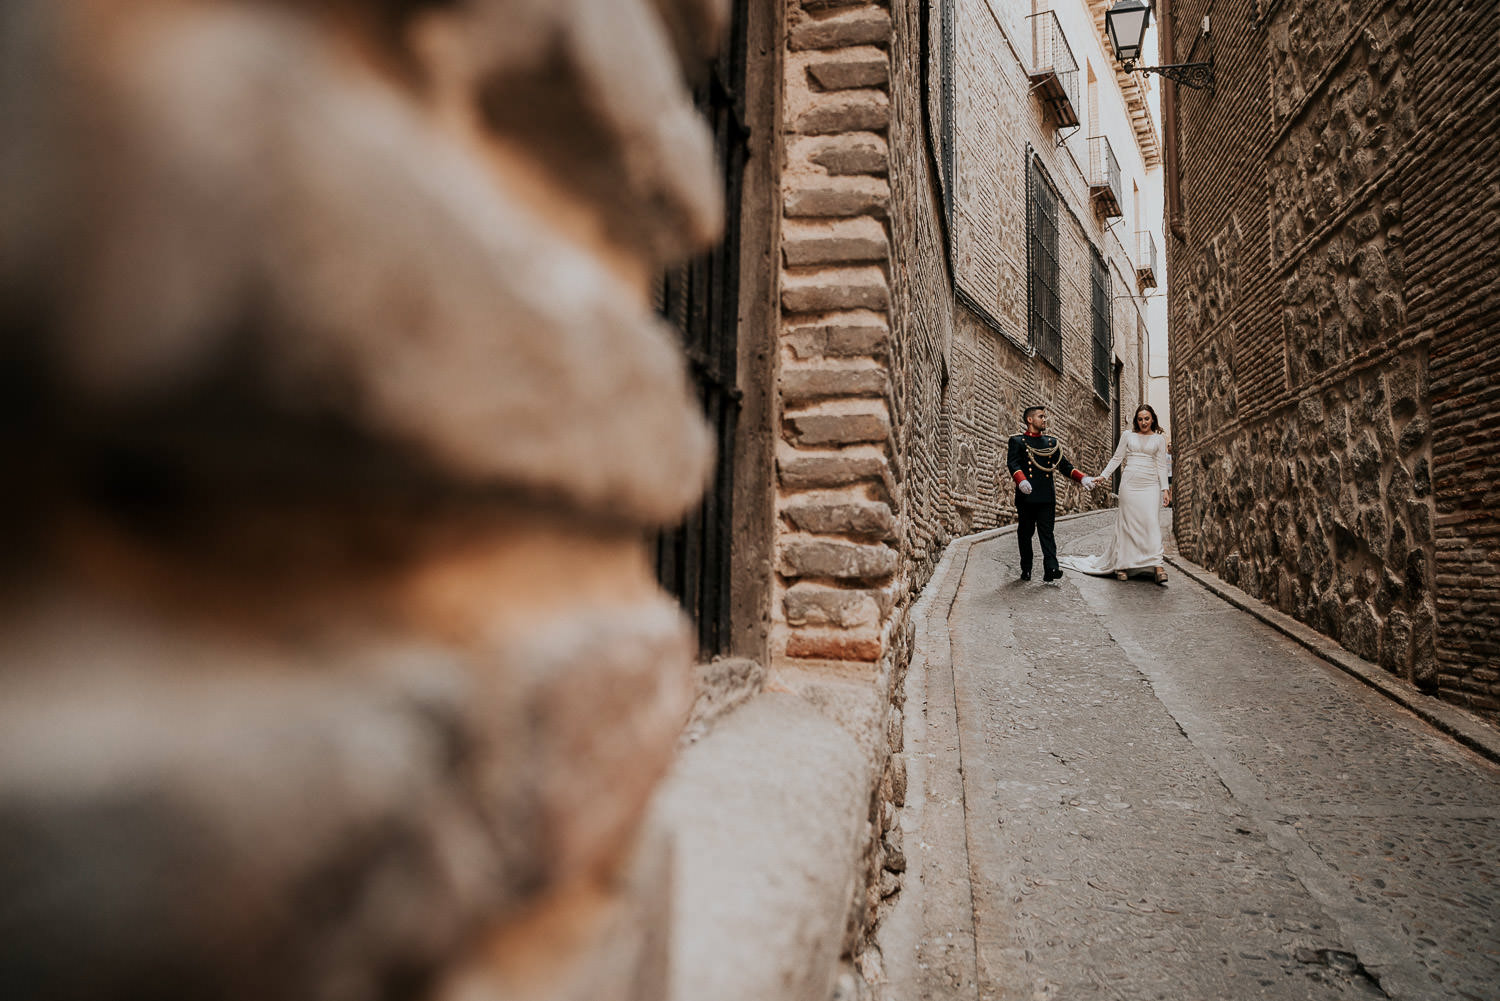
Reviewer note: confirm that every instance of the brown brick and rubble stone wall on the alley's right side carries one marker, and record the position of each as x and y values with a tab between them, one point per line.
1333	337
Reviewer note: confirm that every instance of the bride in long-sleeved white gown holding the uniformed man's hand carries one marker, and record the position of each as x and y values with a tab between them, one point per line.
1144	490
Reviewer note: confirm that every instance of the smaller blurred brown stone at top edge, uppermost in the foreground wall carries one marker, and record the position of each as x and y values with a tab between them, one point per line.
635	148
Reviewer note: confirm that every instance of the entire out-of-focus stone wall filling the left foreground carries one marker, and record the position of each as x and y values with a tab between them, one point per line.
337	418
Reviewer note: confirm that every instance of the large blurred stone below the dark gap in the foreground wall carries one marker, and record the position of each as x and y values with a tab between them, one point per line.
217	789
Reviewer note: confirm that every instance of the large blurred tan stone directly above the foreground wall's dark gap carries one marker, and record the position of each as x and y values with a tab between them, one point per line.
353	278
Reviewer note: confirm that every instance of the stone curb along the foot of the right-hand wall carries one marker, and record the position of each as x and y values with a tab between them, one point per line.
1450	720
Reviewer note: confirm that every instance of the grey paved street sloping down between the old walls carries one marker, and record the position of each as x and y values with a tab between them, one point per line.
1162	798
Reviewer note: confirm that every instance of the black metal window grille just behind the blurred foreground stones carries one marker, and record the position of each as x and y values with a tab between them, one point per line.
703	302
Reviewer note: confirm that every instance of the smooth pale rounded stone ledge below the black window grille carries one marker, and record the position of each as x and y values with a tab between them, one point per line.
781	841
